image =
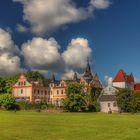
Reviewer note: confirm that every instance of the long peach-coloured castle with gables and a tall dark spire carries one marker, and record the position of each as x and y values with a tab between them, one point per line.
54	91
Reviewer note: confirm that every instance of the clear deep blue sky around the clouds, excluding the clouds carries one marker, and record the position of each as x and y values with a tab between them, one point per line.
113	34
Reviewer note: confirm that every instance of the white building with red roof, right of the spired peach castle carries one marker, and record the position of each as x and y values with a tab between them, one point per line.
107	99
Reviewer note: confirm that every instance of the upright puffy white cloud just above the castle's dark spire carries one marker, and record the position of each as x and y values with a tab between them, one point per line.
76	54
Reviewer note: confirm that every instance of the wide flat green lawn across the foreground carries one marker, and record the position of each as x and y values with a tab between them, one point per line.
68	126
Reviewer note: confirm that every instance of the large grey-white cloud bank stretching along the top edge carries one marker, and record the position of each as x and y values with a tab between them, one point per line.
48	15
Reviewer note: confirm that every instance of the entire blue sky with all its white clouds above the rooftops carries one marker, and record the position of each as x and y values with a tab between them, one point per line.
57	36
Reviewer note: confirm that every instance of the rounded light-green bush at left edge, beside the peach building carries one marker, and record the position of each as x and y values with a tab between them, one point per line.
7	101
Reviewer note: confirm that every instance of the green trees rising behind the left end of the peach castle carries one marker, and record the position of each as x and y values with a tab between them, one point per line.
7	81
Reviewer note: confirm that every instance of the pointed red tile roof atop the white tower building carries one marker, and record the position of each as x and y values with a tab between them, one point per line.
123	77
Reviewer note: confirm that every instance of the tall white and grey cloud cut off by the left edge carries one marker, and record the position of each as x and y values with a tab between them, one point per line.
9	54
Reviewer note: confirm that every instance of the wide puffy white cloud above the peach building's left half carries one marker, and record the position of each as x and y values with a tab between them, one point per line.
42	54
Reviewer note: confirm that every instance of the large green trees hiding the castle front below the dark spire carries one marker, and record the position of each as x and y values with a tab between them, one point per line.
78	100
